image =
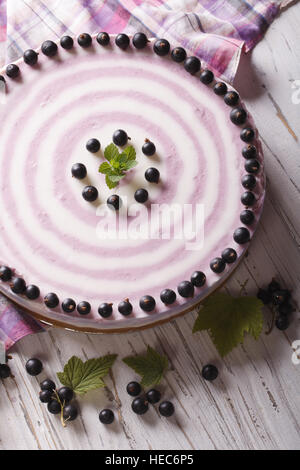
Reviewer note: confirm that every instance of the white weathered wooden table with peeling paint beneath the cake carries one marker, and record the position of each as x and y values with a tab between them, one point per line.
255	402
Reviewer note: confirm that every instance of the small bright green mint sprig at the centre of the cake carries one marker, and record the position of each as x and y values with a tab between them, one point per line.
117	164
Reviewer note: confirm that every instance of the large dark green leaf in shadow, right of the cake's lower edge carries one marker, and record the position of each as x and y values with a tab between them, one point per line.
228	319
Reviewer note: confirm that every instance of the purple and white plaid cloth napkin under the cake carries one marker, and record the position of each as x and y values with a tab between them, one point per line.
215	30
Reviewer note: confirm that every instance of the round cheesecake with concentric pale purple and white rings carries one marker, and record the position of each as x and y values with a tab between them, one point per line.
186	238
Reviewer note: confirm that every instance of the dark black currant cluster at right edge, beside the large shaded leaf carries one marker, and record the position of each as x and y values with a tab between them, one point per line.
280	300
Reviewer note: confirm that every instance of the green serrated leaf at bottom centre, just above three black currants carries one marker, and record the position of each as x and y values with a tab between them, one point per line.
150	366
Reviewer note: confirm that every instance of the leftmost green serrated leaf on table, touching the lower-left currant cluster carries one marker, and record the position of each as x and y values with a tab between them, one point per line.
82	377
